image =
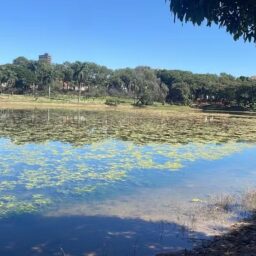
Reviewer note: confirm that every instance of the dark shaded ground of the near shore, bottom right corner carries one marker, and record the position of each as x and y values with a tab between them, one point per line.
240	241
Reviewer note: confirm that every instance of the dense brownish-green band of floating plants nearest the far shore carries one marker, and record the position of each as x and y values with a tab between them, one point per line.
85	127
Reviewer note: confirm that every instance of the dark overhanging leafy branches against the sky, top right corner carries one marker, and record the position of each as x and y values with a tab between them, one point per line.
237	16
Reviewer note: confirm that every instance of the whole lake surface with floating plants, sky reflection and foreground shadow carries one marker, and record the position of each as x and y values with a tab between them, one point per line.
113	183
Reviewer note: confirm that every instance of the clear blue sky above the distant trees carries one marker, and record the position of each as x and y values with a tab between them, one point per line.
118	33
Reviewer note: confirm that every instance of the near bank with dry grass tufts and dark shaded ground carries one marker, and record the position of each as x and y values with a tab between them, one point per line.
239	238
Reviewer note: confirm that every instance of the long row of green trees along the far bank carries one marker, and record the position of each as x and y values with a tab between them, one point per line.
143	84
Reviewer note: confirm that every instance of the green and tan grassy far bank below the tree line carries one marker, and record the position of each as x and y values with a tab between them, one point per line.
63	101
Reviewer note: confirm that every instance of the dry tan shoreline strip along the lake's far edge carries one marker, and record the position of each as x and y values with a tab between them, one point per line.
29	102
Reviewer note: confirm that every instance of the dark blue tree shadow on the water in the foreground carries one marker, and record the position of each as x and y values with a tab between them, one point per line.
86	235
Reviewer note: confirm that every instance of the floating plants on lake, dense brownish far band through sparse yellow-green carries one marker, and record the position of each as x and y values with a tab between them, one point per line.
100	149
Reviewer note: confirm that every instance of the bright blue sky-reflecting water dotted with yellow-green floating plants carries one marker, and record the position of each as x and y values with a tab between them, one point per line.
53	171
